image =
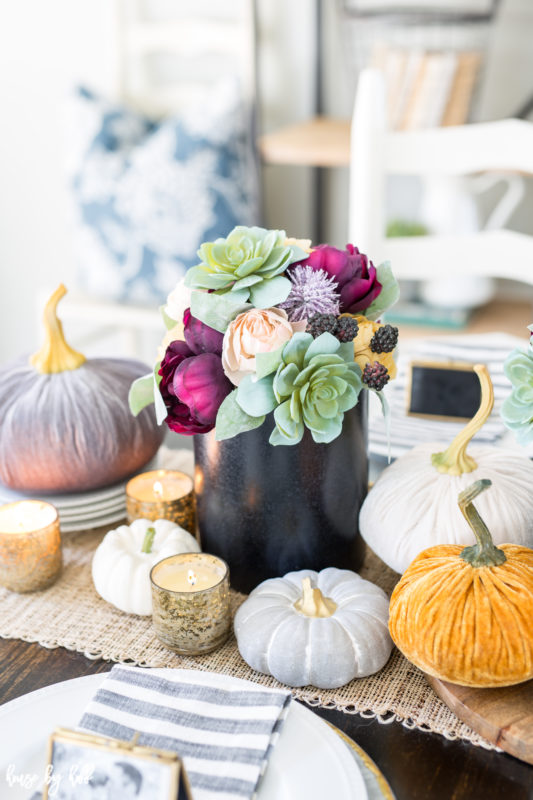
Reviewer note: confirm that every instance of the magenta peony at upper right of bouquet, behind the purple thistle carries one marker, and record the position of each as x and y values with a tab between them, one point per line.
353	272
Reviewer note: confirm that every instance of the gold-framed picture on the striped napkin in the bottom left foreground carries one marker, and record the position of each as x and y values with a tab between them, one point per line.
112	768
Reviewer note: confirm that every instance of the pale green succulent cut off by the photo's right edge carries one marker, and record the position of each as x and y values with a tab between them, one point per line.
517	409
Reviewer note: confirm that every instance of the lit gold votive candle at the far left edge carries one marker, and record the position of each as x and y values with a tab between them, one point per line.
30	545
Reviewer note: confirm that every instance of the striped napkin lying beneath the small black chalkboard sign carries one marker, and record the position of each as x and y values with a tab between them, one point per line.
407	432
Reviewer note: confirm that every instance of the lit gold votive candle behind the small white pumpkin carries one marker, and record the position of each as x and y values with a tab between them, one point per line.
162	494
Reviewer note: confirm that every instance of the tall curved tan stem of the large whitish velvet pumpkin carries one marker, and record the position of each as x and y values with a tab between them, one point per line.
455	460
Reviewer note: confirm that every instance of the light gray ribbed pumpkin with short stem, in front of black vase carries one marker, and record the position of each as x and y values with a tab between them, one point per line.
315	628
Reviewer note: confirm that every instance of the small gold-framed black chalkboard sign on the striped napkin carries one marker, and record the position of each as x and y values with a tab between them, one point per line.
444	391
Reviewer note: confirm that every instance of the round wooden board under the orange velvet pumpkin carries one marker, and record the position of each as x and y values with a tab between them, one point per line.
503	716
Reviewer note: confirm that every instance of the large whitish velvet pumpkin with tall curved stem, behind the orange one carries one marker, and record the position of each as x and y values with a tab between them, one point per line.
413	504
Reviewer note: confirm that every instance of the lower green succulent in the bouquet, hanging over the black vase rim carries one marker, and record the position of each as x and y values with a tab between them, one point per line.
314	383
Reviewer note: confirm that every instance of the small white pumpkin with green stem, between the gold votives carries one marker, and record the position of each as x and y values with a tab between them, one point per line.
123	560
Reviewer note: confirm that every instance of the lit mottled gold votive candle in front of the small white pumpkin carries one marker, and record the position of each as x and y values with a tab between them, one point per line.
190	620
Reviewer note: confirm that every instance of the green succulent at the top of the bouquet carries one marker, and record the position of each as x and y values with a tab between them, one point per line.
249	263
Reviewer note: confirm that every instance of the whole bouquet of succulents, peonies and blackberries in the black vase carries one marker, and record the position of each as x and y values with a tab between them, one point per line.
269	324
